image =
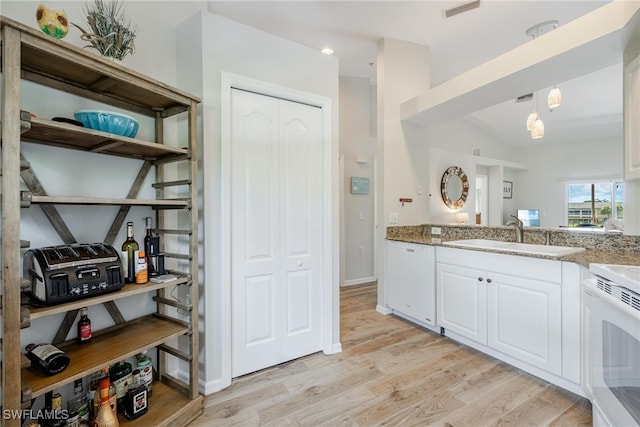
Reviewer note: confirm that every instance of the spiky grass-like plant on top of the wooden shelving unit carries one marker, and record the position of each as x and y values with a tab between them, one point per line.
111	31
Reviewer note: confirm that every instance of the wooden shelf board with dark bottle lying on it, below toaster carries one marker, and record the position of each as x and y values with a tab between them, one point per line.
107	349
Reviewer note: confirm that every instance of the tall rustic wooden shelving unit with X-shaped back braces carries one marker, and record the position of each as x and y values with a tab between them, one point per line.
27	54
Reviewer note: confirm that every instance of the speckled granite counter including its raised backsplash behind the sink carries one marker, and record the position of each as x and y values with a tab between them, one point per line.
605	248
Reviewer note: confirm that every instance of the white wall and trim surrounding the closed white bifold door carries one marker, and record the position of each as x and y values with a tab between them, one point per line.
214	45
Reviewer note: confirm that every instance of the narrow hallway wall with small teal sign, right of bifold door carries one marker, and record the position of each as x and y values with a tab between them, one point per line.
357	143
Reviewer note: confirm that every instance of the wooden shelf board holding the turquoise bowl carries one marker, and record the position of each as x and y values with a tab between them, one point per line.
58	134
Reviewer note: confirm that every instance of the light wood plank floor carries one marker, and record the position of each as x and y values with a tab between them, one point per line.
393	373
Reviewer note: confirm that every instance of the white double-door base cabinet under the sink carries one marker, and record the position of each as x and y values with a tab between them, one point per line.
509	303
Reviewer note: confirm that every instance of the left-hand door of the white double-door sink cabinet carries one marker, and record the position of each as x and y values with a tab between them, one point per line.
462	301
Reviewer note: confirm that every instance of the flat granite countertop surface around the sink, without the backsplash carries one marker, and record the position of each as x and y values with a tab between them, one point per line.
583	258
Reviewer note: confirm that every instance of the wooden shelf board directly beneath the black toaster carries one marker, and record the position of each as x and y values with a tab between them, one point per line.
126	291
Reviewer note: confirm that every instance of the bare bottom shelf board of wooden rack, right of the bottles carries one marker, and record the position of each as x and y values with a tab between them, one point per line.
167	407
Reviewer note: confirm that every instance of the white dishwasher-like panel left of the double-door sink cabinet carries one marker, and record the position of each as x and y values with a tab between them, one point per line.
410	284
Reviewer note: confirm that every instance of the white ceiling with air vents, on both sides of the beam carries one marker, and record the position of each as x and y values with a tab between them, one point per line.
592	105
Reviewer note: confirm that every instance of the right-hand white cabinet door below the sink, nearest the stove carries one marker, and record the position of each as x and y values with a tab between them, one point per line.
524	320
